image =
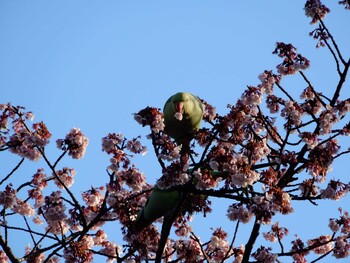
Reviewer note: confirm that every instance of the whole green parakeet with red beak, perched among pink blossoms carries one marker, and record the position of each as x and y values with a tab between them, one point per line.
183	113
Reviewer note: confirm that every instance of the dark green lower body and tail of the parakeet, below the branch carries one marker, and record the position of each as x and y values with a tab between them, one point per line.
160	203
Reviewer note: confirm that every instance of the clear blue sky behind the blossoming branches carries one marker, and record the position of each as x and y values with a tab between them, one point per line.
91	64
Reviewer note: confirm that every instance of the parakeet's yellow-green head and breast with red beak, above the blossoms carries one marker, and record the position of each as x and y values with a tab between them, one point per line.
183	113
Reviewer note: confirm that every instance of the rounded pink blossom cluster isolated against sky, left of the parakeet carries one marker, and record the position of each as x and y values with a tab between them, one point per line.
75	143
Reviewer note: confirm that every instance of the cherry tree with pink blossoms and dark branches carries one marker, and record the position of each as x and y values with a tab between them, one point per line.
268	151
